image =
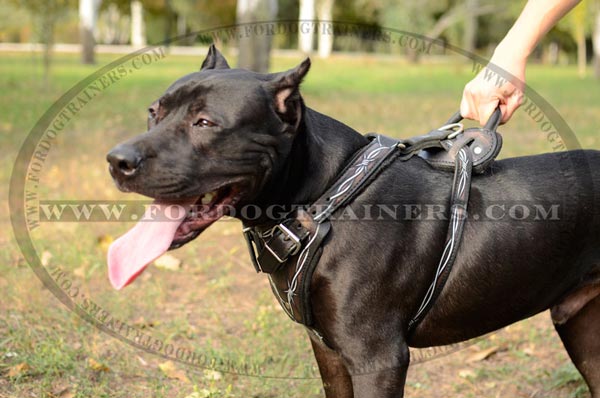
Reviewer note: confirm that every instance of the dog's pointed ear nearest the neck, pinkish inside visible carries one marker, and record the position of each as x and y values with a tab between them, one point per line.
286	93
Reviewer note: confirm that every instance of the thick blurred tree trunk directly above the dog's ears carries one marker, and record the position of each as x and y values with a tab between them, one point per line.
254	39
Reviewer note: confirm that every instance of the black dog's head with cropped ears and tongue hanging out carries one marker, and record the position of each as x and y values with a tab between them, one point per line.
215	138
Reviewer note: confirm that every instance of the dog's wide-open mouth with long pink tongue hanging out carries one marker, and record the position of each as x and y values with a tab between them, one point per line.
166	225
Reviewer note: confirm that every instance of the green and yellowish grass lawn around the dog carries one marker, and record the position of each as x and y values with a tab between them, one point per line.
215	302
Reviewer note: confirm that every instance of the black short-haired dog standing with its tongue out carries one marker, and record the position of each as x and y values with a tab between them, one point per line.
225	138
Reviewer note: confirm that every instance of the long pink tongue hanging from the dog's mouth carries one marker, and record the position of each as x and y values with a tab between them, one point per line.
129	255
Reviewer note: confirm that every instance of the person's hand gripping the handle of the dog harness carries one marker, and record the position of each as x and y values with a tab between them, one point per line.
493	87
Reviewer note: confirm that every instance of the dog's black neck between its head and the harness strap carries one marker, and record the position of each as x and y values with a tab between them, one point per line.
320	150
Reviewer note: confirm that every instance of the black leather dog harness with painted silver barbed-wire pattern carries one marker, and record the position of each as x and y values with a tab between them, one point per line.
289	249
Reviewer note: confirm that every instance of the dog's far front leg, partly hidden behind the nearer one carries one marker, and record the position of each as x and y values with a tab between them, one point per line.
334	374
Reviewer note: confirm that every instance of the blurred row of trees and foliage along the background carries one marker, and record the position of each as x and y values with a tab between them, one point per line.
476	25
